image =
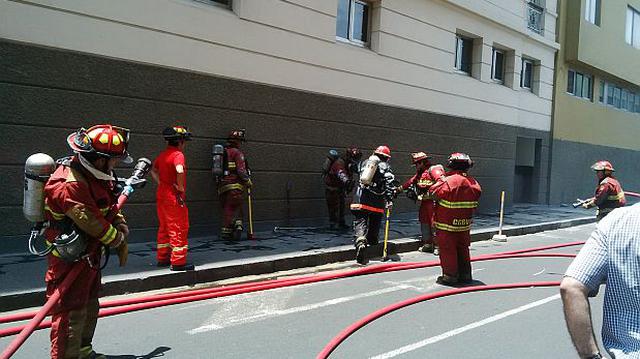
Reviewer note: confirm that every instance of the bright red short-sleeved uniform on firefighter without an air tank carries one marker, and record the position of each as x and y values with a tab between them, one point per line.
173	214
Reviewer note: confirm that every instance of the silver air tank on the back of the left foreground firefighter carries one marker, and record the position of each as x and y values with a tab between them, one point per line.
37	171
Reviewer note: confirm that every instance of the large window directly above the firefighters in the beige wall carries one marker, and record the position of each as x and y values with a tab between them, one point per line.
352	23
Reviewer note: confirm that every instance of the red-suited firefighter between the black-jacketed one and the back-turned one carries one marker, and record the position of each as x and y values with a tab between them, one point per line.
417	188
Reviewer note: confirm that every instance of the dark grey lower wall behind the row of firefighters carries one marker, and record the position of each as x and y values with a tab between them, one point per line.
46	93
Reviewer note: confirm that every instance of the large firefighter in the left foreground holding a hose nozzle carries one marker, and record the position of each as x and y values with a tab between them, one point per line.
78	196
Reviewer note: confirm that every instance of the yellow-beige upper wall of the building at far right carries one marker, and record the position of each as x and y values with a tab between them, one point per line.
601	55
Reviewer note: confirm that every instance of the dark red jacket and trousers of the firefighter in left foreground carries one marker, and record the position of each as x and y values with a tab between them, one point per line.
74	196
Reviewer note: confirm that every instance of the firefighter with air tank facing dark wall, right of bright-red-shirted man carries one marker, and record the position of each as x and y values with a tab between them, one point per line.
232	185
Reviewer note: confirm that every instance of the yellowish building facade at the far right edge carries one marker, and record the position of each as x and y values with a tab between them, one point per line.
597	96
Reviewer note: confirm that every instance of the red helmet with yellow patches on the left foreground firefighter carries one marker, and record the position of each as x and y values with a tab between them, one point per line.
104	140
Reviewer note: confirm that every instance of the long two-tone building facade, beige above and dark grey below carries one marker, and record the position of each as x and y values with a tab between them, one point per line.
302	76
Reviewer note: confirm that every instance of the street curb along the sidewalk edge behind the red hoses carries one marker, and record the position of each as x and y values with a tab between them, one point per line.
160	279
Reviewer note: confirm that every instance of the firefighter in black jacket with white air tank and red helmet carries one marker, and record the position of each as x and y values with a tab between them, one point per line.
375	192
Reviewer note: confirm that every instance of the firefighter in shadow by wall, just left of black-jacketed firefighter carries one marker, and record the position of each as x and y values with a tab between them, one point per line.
339	181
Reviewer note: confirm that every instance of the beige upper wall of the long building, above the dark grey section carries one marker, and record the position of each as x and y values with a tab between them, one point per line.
292	44
